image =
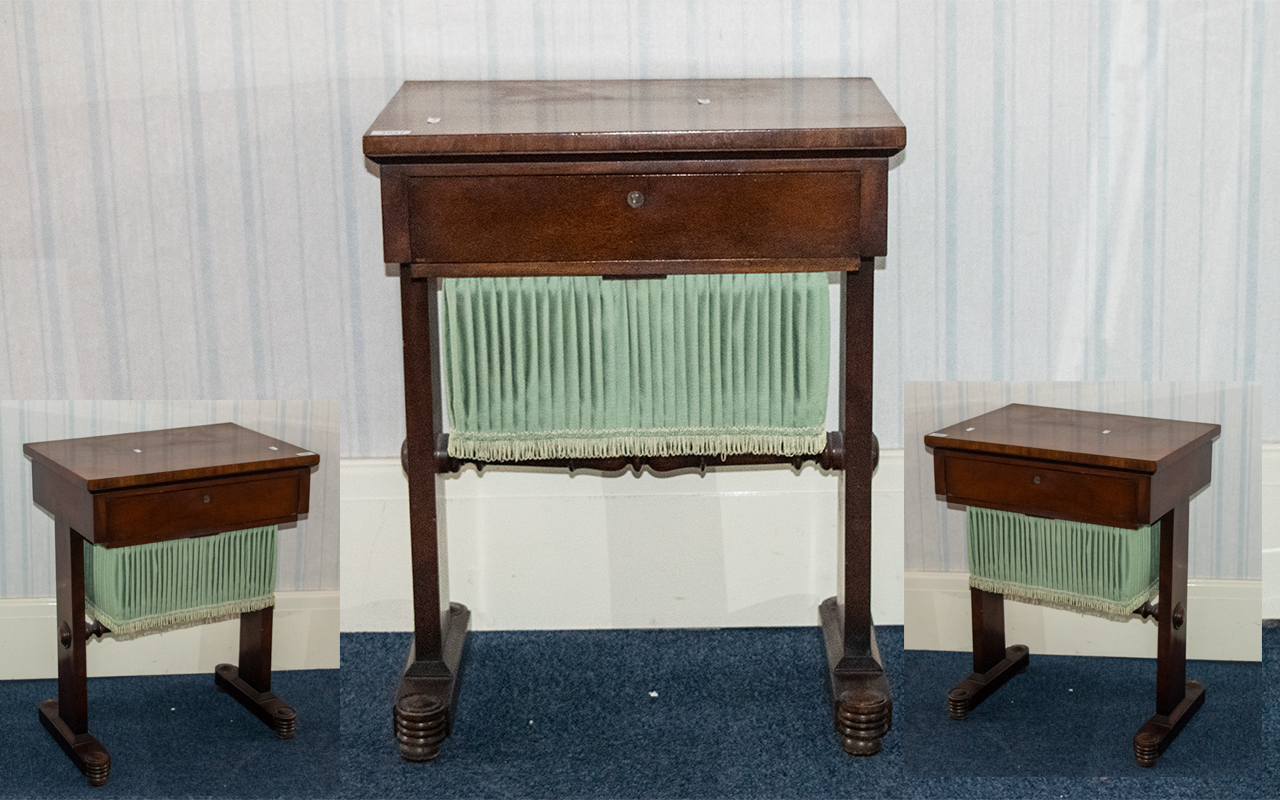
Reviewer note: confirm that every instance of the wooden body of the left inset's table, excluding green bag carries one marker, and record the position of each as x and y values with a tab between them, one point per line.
159	486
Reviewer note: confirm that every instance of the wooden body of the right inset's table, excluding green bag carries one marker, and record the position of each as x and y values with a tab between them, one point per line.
1104	469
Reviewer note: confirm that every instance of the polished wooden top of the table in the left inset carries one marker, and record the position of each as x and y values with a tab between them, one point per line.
152	458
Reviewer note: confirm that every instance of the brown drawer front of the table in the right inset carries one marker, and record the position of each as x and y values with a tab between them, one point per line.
1028	488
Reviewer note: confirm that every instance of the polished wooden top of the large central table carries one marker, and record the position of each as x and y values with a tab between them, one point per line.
514	117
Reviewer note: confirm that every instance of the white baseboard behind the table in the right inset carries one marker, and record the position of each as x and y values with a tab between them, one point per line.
1223	623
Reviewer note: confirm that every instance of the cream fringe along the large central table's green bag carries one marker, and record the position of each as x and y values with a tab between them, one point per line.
597	445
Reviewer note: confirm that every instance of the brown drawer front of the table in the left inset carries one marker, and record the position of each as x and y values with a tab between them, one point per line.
153	516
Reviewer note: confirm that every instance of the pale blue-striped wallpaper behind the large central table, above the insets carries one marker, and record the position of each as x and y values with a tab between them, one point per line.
1090	190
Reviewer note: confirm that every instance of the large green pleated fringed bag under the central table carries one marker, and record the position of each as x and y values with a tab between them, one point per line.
575	368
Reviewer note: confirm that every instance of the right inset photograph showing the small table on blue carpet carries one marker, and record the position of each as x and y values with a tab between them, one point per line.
1066	520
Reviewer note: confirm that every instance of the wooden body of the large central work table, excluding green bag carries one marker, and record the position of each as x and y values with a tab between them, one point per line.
636	180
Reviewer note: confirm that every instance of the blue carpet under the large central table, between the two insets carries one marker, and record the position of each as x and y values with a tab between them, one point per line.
739	714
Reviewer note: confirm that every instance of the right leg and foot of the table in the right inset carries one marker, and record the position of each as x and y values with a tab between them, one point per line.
1177	698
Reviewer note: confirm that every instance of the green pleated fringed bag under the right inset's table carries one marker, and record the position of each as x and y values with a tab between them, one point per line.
1094	569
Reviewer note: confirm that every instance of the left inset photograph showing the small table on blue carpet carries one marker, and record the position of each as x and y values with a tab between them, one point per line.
163	533
